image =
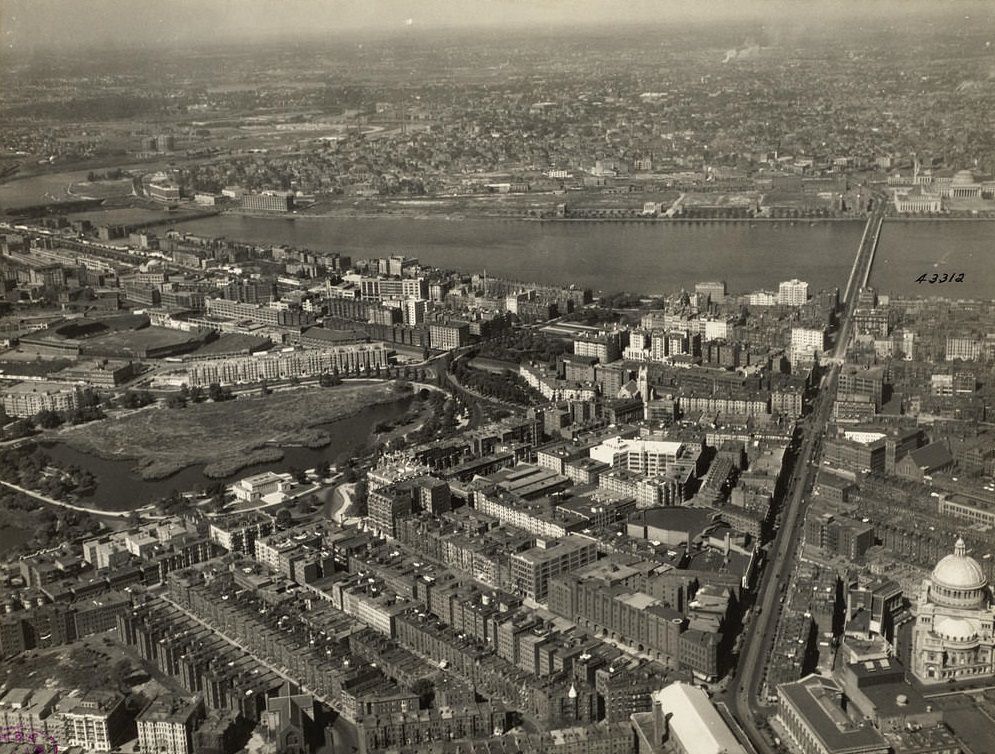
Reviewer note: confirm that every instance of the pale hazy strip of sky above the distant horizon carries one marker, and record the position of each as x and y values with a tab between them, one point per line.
110	24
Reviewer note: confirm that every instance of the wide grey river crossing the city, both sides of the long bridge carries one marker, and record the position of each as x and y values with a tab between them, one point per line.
648	257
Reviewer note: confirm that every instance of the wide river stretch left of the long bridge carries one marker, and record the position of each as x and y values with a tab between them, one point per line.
640	257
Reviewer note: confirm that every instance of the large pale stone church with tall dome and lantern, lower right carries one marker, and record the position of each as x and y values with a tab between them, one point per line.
954	633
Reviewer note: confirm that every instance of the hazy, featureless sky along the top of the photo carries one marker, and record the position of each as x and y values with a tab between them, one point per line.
29	24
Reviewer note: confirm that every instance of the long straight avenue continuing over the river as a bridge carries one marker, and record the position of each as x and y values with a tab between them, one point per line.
743	699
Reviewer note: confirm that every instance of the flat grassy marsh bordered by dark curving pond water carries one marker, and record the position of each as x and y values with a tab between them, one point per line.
226	436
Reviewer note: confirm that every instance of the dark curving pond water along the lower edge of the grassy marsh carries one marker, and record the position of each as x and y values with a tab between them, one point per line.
118	487
